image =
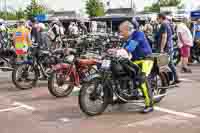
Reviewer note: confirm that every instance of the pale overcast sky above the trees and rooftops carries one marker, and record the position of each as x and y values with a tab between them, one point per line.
79	4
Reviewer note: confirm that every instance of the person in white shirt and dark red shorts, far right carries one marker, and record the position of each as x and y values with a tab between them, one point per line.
185	42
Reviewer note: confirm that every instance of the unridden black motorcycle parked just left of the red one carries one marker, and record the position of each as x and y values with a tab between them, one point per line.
36	67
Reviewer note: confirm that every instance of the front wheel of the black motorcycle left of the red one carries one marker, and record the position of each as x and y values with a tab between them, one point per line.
25	76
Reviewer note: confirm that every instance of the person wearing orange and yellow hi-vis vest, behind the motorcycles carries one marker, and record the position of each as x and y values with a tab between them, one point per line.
21	41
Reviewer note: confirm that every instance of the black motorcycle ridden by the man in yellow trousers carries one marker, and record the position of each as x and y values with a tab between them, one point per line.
120	79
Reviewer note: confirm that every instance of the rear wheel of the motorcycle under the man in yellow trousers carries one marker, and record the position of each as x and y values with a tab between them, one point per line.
158	84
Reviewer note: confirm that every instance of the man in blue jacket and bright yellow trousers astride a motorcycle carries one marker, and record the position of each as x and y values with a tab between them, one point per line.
140	49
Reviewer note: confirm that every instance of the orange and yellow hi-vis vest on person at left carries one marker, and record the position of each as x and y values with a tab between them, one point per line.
21	42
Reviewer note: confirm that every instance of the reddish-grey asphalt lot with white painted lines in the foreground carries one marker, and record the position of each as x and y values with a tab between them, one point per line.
36	111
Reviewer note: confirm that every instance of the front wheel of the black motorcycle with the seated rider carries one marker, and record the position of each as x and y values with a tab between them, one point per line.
93	100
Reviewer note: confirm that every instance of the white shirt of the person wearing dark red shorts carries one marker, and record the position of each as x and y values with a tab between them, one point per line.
186	35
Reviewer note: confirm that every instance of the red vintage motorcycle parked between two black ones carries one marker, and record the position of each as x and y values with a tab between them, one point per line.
66	76
